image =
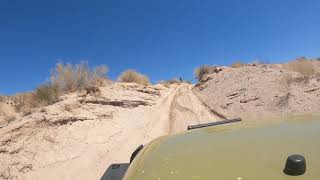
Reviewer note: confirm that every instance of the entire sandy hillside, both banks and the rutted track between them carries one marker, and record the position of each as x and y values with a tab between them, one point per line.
81	135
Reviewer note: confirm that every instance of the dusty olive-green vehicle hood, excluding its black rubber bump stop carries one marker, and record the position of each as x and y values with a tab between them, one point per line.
232	153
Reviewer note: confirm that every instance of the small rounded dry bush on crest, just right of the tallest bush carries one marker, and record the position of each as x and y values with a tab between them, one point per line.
133	76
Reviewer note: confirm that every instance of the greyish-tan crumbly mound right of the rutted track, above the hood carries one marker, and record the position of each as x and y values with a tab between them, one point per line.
262	90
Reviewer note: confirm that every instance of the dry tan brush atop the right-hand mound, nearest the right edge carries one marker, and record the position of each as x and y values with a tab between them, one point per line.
303	66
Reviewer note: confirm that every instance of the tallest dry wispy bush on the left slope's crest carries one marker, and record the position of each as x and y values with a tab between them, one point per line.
70	78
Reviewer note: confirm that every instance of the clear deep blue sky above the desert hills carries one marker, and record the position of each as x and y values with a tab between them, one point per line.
161	38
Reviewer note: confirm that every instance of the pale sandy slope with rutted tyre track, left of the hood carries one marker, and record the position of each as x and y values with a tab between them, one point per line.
79	137
